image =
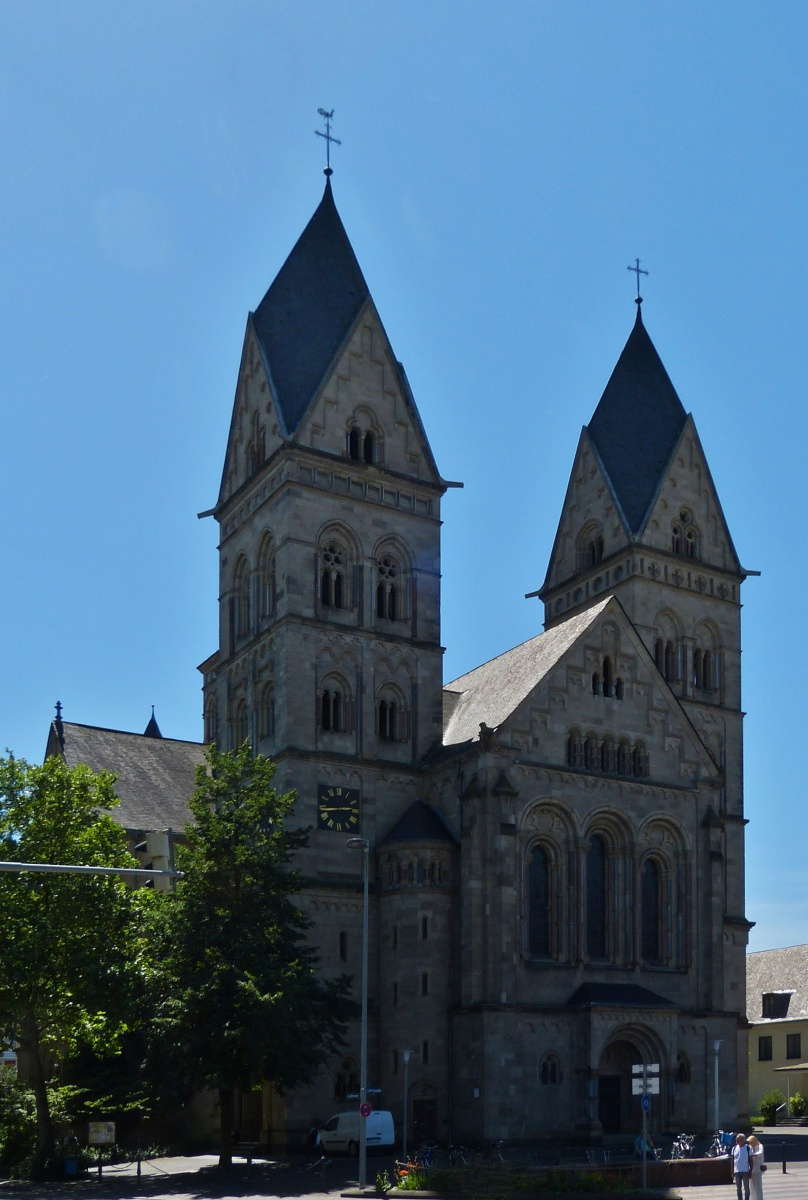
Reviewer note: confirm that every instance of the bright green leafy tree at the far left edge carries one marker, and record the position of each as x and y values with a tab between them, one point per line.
70	945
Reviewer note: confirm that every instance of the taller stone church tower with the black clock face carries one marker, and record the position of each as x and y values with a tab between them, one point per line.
330	656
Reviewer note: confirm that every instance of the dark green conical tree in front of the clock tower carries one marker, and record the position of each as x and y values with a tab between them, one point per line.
242	999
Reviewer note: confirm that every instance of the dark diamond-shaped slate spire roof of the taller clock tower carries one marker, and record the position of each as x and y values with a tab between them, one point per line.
309	310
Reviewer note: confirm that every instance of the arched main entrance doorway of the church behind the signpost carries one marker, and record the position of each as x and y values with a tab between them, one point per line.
619	1109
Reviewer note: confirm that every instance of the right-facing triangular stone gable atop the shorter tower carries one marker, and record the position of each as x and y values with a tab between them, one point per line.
689	483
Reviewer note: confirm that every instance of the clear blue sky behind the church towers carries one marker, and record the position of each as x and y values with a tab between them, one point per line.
501	166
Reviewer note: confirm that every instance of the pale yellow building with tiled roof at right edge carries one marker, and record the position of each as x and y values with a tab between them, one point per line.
777	1010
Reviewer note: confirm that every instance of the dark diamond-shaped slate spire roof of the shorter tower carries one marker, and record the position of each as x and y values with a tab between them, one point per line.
637	425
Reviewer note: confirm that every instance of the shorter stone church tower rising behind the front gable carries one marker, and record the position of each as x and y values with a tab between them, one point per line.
642	521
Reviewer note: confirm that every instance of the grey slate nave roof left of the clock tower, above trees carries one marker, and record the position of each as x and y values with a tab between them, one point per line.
155	776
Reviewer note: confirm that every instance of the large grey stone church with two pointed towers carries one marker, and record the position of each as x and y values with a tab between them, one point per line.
556	837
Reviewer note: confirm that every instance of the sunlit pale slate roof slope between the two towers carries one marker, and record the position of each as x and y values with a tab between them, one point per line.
493	692
